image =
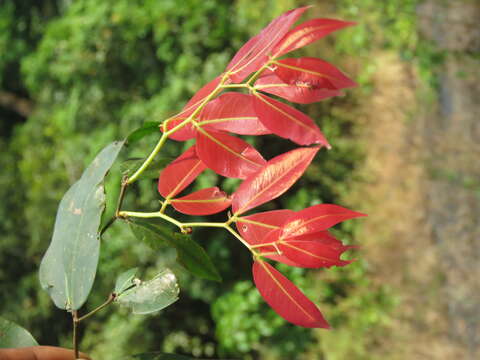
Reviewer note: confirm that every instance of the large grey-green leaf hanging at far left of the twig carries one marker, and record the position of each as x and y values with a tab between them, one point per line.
69	266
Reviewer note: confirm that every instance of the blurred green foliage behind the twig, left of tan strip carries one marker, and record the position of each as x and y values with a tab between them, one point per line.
97	70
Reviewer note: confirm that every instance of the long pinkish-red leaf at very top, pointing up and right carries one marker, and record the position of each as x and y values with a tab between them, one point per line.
254	53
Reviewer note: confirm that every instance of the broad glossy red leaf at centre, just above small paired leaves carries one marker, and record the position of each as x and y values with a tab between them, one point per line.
227	155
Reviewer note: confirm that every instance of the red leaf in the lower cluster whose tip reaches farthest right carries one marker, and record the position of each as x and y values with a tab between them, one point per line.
316	218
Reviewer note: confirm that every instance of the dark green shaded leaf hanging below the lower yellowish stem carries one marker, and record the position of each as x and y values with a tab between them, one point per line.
189	254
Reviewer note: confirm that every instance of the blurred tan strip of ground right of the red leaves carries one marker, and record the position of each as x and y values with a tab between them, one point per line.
398	234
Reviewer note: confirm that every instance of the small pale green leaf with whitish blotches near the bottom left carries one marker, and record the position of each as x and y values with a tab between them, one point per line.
152	295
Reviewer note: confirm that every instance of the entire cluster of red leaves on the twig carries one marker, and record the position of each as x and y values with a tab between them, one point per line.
294	238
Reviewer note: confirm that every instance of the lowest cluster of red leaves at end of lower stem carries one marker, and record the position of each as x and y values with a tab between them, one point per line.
297	239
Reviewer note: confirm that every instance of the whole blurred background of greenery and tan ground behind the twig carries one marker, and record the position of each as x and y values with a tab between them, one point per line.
75	75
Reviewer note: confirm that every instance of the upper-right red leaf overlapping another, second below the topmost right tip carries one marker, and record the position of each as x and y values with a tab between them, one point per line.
312	72
